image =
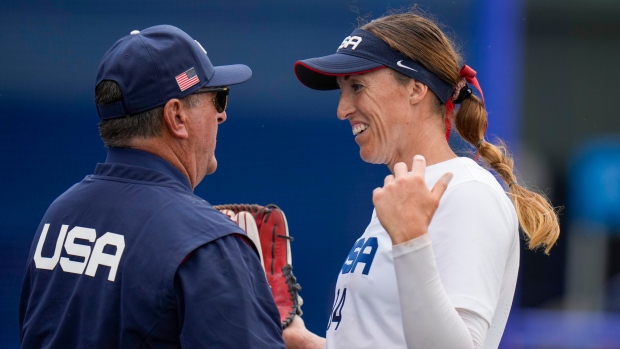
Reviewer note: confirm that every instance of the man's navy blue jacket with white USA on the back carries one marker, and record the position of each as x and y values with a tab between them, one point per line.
131	258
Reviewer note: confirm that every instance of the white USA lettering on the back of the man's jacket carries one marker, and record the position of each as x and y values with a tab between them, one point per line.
93	258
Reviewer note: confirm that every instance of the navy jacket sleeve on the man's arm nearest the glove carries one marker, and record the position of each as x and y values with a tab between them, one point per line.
224	300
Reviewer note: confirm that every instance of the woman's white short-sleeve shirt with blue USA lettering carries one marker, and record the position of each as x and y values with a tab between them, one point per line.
475	239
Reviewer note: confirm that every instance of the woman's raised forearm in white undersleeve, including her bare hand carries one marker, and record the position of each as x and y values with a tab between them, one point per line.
405	207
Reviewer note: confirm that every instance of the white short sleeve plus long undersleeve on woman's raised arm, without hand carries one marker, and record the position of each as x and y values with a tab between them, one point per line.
452	276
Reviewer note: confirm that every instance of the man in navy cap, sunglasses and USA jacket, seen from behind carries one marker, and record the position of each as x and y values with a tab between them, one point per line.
130	257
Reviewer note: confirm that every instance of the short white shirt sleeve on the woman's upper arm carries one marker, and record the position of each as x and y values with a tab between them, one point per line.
472	234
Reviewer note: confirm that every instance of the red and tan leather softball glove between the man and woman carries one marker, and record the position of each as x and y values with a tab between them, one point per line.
266	226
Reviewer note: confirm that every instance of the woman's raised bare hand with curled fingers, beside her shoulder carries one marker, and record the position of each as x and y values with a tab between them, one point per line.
405	205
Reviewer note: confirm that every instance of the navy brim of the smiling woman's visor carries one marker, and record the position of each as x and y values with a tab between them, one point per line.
320	73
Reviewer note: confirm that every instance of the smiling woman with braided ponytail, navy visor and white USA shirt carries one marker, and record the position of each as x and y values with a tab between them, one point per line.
409	281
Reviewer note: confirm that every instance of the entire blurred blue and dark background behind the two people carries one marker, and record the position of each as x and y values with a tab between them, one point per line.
548	69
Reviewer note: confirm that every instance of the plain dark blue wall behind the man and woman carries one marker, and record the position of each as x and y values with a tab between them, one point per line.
281	144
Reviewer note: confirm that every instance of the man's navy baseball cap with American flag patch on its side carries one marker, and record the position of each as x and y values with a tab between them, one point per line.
157	64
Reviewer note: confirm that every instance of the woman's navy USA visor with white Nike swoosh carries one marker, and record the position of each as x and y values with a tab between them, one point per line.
362	52
